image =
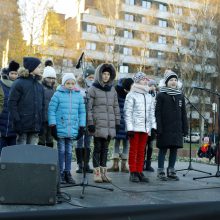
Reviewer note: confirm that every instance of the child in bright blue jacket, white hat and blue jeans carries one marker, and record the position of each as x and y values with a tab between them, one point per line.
66	117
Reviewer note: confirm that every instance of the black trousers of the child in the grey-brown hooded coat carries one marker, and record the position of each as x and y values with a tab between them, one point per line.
100	152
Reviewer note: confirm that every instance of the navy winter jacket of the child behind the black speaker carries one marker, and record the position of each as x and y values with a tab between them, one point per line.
26	104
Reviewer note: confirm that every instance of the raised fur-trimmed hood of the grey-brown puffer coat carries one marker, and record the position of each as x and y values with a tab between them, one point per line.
98	73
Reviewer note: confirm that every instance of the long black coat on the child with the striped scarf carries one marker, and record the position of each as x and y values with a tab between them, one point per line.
171	120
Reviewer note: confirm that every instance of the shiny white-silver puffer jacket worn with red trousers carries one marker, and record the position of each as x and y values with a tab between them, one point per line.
139	110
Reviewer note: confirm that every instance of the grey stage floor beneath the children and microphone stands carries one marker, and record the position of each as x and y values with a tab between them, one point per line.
126	193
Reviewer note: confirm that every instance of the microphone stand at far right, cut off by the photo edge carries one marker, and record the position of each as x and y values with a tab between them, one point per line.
218	150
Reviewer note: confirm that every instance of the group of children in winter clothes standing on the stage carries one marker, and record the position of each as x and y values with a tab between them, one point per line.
136	114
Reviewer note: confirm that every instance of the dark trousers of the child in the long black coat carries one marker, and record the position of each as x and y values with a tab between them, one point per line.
172	157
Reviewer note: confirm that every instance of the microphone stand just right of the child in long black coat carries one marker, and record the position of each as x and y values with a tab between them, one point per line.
190	140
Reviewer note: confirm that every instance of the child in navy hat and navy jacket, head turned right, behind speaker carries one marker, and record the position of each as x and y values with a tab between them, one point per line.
26	102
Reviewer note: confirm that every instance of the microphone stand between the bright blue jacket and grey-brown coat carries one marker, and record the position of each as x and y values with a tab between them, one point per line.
84	182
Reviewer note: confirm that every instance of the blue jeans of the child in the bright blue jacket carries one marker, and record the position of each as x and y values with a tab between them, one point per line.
64	146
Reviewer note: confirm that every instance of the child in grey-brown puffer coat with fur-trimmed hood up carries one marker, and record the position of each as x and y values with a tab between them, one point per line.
103	118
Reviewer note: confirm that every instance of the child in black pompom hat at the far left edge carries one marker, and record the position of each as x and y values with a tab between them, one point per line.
7	133
